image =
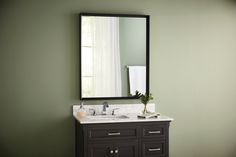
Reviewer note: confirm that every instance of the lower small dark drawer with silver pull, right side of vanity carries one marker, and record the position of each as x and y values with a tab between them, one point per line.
154	149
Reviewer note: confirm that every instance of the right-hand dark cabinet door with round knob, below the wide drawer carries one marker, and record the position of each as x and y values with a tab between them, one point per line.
126	149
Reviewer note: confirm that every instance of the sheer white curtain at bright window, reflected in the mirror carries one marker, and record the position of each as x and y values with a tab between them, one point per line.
101	57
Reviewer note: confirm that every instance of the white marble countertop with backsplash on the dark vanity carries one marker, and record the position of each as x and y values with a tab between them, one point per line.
129	110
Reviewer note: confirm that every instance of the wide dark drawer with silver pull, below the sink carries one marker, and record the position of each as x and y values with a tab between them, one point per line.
100	133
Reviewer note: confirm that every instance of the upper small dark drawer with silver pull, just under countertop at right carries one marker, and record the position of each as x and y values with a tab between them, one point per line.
154	131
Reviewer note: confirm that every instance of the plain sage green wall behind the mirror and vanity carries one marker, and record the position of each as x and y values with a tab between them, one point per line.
193	73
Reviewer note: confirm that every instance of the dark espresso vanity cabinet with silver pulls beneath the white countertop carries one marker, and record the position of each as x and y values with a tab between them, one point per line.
131	139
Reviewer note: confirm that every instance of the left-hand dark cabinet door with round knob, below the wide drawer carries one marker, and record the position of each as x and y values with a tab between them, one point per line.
100	150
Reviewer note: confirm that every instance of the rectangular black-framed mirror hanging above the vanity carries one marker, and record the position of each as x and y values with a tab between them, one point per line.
114	55
